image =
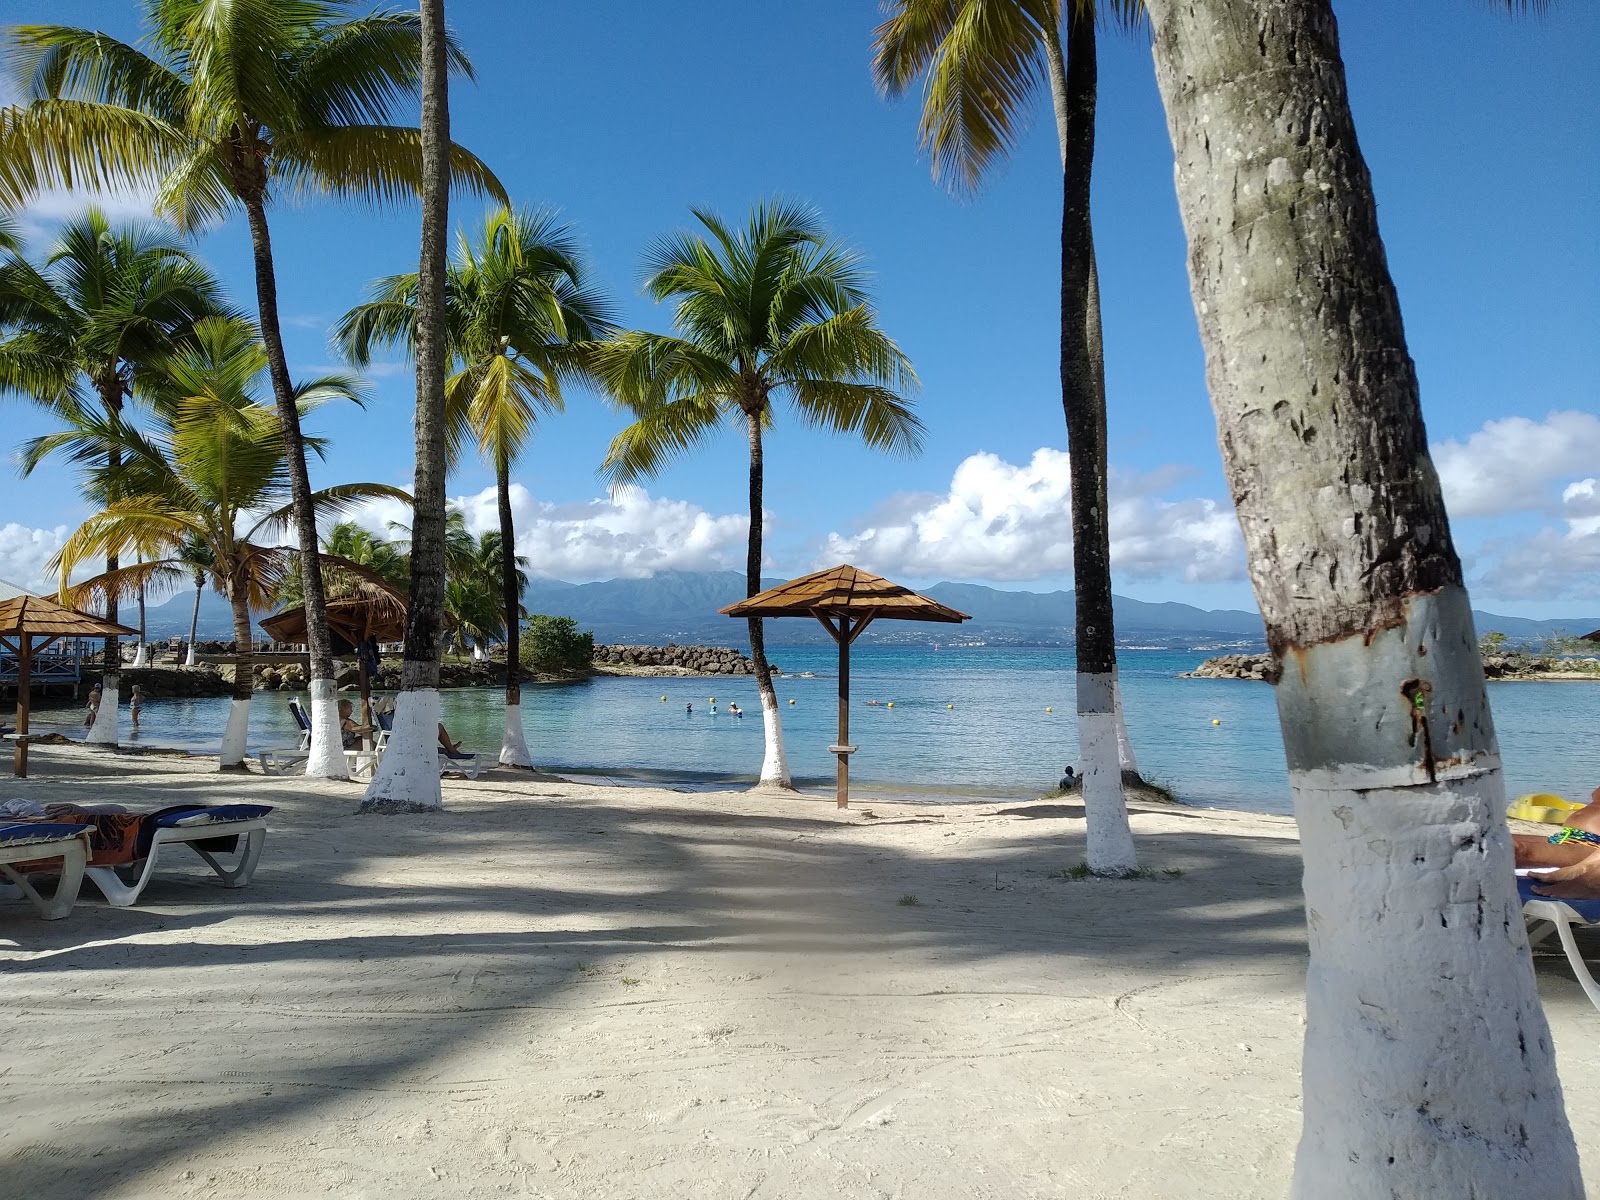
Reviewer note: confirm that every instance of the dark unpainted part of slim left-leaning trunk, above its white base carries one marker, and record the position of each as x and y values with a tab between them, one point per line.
316	601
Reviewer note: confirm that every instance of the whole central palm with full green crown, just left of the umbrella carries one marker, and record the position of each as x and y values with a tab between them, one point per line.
766	313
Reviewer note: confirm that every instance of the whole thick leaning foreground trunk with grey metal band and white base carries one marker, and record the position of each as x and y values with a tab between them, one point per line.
1428	1065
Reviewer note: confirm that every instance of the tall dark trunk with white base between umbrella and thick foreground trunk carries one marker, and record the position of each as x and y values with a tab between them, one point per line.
1084	402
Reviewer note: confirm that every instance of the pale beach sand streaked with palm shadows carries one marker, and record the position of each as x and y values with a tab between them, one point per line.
558	990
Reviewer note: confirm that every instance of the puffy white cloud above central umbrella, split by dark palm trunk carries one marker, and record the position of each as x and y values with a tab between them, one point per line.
1009	522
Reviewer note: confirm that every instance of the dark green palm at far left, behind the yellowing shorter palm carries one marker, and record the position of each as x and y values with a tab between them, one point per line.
78	332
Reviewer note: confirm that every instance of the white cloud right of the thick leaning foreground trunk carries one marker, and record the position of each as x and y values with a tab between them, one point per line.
1514	465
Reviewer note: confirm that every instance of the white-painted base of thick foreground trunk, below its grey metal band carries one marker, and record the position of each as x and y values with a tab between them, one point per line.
1428	1066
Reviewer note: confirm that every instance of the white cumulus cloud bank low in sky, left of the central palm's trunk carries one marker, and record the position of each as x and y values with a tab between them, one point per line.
633	535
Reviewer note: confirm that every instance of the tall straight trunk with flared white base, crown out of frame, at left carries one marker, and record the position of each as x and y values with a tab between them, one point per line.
407	780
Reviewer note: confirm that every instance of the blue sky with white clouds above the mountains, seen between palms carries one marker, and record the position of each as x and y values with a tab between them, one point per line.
1479	130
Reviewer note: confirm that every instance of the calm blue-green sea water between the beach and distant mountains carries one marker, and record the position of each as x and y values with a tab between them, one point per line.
999	740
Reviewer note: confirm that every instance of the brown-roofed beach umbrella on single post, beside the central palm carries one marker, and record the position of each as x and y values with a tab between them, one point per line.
846	601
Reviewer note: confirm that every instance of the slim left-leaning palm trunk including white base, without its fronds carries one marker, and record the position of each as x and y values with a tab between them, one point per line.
327	746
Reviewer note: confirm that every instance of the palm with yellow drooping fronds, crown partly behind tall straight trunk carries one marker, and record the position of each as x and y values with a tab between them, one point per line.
518	308
